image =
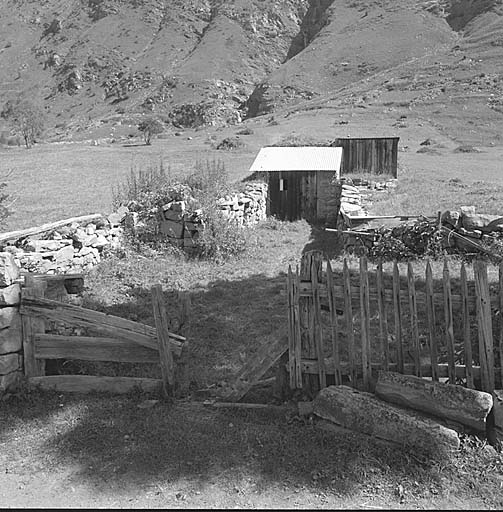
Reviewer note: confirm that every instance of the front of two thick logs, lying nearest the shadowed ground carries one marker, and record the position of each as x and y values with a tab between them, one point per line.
365	413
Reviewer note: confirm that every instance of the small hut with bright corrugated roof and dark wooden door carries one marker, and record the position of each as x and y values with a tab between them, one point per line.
301	181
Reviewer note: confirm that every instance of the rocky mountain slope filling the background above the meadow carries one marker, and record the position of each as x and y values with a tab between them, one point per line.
216	62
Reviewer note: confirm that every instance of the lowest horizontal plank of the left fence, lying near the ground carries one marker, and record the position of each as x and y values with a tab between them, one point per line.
90	383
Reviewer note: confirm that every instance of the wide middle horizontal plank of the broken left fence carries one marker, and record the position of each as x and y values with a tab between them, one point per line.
87	348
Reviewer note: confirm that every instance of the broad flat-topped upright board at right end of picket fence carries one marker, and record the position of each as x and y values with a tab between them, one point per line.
484	326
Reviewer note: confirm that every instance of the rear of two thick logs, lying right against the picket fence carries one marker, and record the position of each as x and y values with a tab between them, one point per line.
447	401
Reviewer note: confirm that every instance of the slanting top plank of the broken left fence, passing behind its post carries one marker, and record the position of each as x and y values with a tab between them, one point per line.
97	322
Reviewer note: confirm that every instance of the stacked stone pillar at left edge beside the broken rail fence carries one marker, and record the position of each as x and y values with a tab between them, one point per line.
11	340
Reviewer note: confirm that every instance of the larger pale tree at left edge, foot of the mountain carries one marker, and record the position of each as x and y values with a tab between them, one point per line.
25	118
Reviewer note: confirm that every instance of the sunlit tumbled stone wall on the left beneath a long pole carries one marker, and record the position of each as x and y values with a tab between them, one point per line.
74	247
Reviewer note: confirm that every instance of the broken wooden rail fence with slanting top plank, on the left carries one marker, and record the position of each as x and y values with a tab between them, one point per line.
117	340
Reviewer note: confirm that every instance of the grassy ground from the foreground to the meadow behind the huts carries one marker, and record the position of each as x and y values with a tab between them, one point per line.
62	450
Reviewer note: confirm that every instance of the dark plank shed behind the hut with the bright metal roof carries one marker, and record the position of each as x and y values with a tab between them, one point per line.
373	155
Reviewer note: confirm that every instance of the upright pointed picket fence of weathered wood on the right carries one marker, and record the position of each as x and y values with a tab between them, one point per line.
345	329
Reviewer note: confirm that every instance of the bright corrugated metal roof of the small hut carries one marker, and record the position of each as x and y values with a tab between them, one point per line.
306	158
